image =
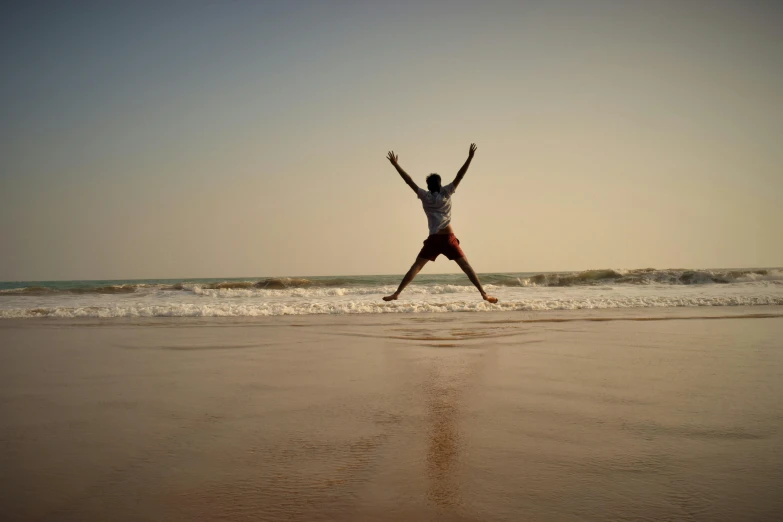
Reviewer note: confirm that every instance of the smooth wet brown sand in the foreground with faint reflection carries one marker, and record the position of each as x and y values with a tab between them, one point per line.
664	414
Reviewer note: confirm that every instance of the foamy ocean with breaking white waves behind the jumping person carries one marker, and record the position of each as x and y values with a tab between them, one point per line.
250	297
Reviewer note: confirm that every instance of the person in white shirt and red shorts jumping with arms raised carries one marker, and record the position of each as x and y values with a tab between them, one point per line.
437	205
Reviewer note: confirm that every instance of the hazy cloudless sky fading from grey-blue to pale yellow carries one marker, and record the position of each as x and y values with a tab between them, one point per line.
238	138
